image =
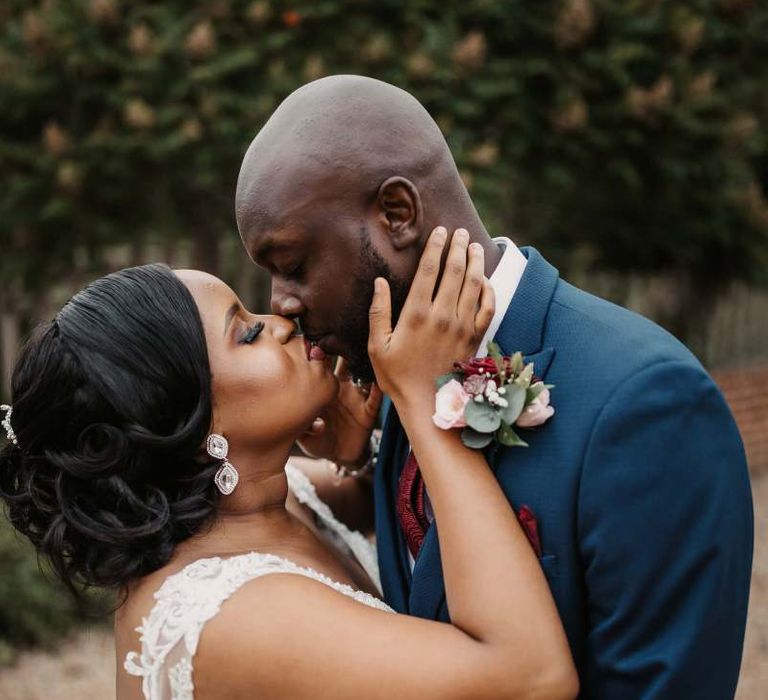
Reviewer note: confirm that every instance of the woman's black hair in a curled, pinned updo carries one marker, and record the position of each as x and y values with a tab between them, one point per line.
111	404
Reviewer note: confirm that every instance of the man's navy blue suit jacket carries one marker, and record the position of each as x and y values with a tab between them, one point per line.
640	486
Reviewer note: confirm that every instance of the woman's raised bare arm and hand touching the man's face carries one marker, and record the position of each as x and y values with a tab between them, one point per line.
304	640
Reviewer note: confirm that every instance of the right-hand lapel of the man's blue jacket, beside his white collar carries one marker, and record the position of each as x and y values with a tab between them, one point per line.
521	330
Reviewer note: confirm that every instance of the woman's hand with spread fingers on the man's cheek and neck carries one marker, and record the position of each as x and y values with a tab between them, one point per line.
431	333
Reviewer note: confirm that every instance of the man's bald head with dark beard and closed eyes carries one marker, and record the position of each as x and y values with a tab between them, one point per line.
343	185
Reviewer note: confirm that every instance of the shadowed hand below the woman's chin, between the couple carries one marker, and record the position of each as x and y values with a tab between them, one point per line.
342	433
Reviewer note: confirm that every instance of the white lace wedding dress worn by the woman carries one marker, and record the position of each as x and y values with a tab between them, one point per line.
191	597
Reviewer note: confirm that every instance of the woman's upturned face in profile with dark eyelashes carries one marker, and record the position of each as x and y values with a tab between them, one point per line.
266	389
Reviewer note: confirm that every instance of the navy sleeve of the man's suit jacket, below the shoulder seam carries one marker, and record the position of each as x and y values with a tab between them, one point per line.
665	530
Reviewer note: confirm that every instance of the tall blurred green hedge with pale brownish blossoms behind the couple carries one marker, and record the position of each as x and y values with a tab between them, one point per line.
620	134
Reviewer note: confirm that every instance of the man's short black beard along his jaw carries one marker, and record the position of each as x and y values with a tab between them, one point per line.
356	323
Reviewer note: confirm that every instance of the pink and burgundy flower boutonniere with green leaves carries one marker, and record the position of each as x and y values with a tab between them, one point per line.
487	396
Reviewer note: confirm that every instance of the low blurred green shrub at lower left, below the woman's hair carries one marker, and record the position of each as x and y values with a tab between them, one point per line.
34	609
